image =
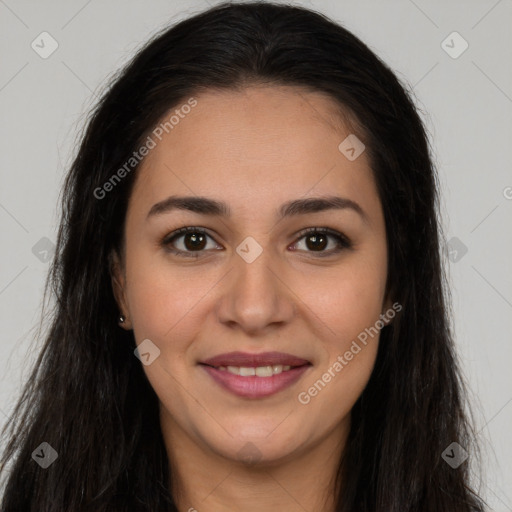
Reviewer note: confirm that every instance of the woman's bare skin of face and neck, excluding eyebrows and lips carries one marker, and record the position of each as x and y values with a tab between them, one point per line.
254	149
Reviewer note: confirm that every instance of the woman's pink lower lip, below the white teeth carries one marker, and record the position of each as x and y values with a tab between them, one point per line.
255	387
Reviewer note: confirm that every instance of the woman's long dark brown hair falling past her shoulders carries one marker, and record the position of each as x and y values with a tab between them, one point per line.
88	396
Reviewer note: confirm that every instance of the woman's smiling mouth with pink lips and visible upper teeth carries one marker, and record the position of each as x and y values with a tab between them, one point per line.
255	375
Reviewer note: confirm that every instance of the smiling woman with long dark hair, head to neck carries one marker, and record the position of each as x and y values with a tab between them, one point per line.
250	303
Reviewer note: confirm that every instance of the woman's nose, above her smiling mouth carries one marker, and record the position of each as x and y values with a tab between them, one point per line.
256	296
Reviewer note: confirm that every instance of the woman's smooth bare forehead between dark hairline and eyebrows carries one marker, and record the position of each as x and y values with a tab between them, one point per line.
253	146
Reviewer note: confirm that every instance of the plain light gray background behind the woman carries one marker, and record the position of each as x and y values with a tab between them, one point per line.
466	102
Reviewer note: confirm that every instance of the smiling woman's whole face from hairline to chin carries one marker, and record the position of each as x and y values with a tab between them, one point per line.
248	278
